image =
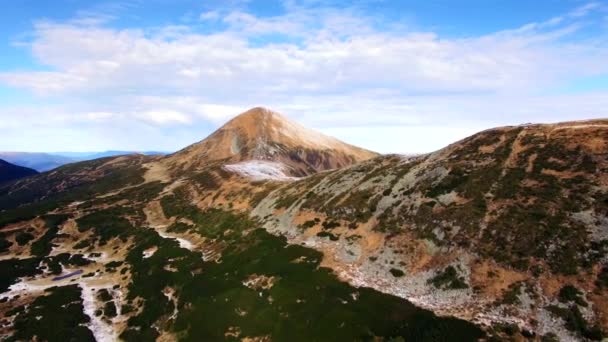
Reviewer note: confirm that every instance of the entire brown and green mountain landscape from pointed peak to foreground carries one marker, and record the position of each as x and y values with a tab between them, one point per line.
269	231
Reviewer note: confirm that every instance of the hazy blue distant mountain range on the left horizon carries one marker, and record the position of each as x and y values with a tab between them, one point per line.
42	162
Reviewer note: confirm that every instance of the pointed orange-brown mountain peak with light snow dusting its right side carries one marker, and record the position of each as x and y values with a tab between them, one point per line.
264	135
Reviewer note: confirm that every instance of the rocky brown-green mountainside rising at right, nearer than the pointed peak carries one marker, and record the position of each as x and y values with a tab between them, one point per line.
510	224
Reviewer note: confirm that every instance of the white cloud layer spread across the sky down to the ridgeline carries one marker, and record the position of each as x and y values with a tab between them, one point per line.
341	71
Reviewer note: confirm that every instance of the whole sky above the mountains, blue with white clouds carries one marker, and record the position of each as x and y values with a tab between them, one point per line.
393	76
